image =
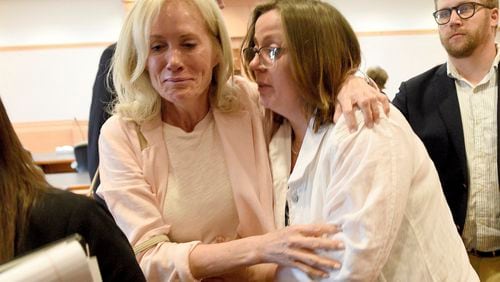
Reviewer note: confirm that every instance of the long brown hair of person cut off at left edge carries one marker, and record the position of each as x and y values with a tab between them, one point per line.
21	183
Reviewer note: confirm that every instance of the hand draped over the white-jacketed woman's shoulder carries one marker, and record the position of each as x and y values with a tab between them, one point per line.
355	92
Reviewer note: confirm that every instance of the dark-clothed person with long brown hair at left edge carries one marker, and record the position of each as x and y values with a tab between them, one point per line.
35	214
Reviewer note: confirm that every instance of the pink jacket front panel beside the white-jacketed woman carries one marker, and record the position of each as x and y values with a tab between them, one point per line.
248	165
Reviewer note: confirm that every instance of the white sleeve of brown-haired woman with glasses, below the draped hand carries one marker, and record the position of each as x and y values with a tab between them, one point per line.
371	173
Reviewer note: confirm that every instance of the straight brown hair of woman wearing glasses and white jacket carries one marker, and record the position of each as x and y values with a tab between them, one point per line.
322	47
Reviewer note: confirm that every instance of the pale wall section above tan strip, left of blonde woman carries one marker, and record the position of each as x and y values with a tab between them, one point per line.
27	22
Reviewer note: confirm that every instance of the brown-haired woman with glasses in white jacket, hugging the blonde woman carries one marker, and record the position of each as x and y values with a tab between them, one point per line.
378	185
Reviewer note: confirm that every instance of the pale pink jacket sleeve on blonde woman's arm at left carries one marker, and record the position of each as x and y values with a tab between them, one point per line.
134	203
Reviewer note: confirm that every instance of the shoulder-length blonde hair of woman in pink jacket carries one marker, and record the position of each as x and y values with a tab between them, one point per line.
137	100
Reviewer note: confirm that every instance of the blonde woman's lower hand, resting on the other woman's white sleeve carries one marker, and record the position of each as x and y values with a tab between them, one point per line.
297	246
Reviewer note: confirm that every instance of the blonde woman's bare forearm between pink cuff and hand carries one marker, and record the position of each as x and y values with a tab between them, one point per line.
208	260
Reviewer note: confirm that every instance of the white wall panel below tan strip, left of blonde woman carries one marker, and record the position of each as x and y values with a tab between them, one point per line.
48	84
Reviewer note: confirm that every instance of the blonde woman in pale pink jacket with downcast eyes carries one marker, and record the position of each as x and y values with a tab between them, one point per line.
183	161
